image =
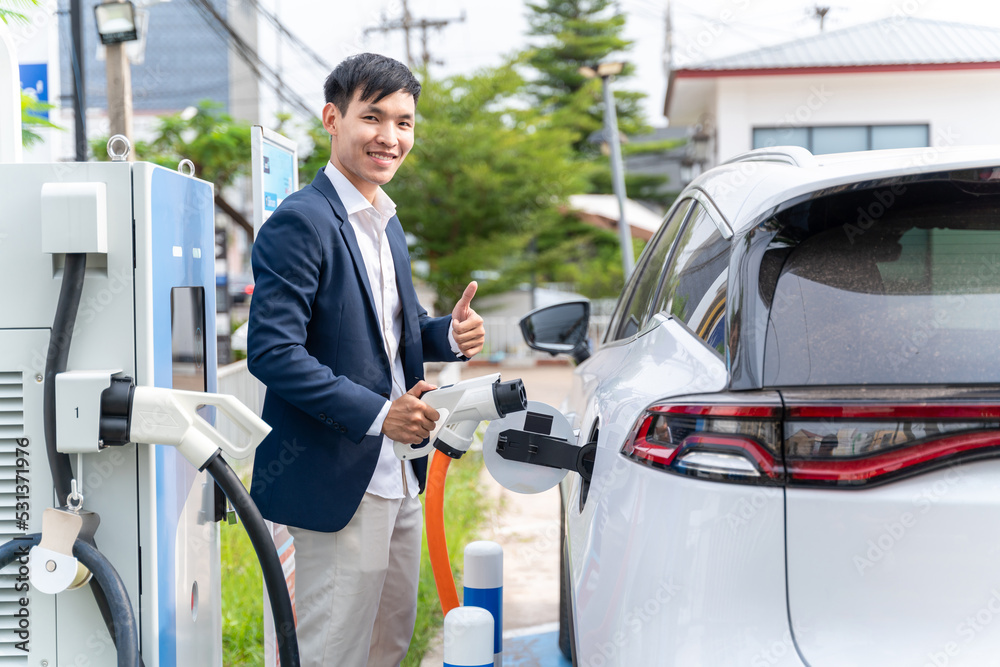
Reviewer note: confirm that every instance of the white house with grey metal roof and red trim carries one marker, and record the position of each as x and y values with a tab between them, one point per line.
894	83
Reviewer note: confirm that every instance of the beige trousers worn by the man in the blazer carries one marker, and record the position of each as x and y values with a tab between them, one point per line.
356	589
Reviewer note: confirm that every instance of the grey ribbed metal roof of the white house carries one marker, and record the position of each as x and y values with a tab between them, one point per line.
896	40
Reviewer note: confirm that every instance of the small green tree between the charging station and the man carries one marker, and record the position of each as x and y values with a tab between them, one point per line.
218	145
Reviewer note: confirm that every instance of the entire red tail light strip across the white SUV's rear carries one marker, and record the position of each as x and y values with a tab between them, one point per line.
845	446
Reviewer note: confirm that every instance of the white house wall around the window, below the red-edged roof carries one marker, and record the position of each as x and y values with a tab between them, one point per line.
960	106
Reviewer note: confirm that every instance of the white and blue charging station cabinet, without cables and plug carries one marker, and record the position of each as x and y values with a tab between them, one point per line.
148	309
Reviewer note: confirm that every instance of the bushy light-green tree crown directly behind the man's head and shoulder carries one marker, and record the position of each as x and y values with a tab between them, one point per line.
484	176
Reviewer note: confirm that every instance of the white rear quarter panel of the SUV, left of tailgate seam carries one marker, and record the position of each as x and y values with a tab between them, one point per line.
638	591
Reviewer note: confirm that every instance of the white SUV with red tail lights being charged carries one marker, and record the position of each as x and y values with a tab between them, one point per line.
796	409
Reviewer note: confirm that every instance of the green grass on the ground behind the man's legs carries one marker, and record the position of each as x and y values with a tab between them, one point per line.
242	627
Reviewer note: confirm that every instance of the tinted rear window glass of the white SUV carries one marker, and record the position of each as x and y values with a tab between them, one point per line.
909	296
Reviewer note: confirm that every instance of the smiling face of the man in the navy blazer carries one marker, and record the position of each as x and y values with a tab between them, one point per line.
371	139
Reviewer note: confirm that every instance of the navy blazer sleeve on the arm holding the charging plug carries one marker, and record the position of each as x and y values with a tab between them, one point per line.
286	259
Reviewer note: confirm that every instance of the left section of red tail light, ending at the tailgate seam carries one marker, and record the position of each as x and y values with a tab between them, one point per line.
725	442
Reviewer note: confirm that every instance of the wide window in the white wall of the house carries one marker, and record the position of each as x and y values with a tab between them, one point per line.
843	138
